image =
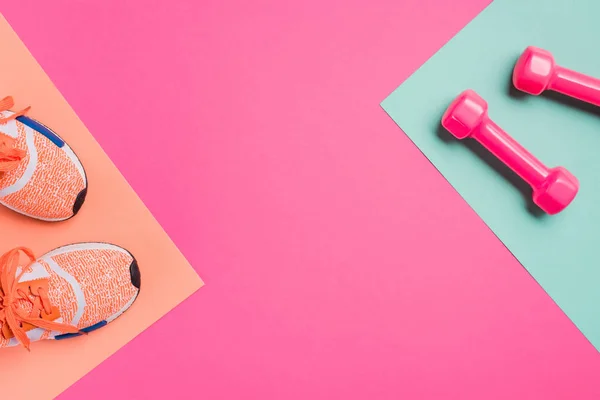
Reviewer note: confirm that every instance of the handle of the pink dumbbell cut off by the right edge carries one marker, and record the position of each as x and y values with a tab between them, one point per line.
575	84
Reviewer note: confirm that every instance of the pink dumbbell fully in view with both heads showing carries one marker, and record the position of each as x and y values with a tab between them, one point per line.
553	188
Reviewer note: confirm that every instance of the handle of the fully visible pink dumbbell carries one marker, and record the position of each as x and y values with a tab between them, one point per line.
509	151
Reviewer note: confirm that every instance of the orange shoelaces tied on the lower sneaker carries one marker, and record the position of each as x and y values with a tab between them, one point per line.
13	318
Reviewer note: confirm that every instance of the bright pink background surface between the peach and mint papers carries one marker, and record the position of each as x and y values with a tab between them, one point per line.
338	262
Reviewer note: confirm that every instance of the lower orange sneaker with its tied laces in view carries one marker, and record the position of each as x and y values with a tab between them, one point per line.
67	292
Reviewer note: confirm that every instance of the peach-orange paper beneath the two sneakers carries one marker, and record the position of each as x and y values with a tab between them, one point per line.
112	213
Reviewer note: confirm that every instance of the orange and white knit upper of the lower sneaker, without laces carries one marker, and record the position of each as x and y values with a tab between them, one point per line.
88	283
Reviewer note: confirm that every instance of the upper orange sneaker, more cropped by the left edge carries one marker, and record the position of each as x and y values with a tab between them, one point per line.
40	176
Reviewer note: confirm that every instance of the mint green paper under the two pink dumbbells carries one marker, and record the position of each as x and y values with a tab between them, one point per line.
561	252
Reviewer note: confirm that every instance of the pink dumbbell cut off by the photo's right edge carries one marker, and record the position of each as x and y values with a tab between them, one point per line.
536	71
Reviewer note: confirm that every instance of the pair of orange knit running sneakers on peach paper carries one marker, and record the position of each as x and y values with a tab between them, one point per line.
71	290
